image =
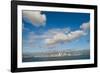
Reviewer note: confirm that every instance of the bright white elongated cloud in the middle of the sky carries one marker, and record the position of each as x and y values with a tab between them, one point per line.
62	37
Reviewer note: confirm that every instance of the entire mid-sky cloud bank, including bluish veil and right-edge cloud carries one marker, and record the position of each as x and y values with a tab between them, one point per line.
54	36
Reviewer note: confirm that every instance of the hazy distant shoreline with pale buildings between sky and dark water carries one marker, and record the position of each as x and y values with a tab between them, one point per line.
63	53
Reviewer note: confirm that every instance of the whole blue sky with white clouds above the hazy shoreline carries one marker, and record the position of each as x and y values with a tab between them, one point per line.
47	31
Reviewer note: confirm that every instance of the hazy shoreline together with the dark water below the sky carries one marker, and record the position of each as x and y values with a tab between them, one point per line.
54	56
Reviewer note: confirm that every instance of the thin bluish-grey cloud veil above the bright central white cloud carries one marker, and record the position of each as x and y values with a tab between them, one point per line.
47	34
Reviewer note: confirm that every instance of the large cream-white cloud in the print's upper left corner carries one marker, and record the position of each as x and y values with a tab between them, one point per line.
35	17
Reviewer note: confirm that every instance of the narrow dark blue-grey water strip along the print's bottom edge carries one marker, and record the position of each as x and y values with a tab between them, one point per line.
37	59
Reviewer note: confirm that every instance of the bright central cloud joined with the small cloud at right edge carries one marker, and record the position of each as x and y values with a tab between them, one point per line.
69	36
